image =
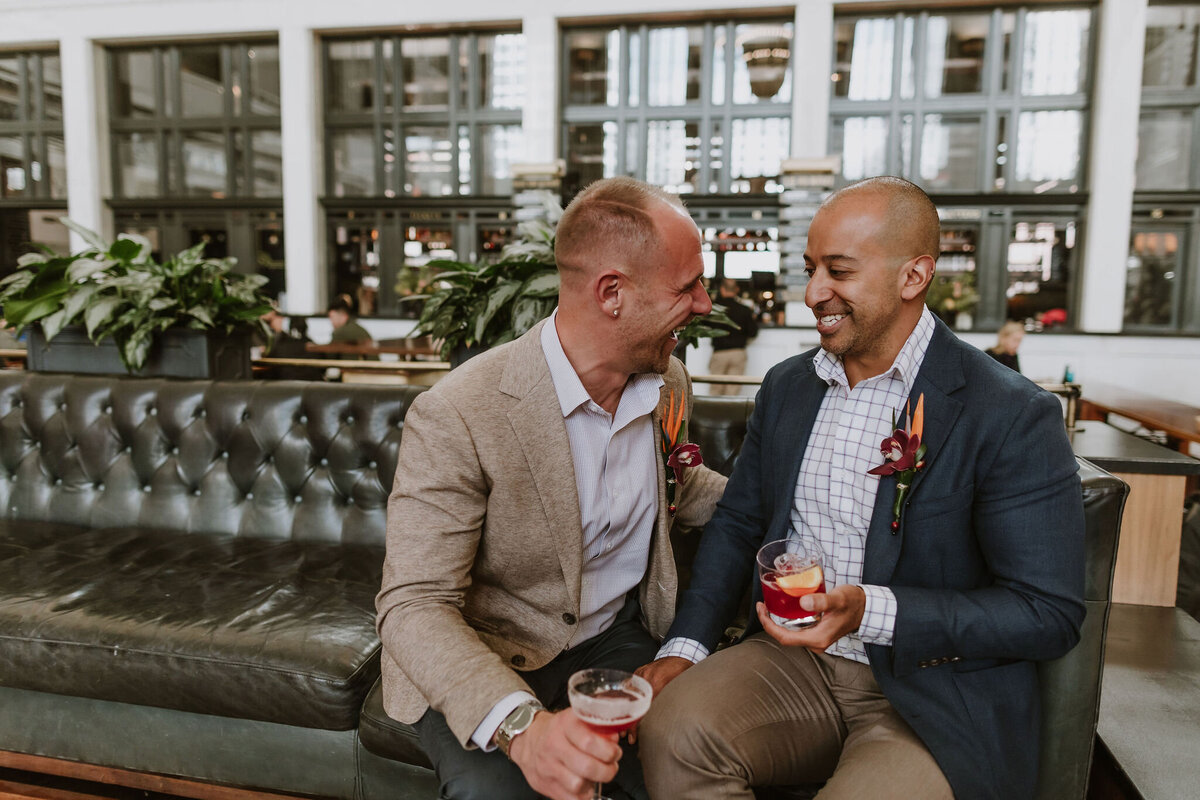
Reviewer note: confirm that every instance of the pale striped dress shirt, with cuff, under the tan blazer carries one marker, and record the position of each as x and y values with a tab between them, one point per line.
617	477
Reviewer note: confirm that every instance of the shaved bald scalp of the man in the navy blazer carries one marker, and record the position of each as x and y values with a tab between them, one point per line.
910	222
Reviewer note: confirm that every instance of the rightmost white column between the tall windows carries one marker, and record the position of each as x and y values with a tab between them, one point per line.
1113	155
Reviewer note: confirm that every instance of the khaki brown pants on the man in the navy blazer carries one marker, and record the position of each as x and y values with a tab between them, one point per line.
760	714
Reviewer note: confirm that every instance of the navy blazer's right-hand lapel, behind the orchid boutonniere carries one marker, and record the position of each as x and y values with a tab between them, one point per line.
940	376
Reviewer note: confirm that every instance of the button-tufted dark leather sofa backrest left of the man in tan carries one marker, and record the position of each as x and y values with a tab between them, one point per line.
277	460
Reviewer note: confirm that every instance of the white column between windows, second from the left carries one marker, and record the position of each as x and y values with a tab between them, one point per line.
303	172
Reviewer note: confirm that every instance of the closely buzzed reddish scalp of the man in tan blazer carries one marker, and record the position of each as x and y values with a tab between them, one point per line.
610	226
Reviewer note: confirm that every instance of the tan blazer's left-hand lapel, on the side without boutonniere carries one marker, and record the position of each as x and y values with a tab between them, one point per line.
542	432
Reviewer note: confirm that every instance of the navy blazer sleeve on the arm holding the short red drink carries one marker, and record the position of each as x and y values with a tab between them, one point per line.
1028	518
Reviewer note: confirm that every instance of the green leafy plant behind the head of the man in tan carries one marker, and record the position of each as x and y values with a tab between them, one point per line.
479	306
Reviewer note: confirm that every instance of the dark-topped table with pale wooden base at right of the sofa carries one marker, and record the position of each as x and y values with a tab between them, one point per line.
1148	569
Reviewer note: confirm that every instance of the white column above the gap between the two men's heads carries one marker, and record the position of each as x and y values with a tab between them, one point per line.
812	63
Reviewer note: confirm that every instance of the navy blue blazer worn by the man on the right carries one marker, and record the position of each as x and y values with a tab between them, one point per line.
987	566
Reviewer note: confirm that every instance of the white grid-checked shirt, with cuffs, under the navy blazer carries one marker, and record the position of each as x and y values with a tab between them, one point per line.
836	496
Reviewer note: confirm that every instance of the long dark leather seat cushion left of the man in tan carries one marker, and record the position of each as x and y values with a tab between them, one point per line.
274	630
